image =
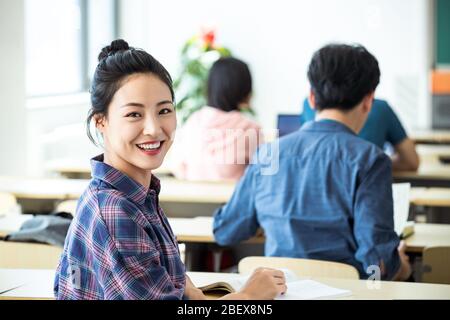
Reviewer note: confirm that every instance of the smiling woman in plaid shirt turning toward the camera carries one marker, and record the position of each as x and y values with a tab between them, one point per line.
120	244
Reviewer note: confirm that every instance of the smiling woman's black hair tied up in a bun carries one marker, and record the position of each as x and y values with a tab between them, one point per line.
116	62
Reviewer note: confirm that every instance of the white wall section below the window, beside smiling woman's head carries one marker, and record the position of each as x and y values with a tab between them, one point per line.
56	132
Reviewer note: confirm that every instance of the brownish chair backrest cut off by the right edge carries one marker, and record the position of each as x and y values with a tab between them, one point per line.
436	265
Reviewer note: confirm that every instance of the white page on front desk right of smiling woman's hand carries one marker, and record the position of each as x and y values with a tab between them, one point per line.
310	289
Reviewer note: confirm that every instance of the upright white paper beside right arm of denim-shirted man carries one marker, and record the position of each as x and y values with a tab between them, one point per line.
400	196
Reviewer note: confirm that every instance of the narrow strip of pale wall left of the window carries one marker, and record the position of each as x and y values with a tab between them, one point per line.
13	117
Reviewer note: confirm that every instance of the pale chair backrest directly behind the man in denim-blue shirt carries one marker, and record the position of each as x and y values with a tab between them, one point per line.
301	267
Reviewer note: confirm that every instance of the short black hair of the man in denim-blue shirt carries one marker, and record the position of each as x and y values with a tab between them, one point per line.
342	75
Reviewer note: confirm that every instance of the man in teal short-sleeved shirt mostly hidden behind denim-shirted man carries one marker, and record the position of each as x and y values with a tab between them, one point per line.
382	126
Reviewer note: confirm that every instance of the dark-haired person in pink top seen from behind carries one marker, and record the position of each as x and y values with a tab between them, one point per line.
217	142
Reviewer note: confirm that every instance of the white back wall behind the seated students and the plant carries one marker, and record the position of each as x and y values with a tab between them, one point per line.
278	37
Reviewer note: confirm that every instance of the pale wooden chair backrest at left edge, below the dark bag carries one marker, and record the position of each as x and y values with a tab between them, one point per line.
18	255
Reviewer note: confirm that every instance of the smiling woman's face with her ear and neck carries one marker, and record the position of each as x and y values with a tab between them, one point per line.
137	133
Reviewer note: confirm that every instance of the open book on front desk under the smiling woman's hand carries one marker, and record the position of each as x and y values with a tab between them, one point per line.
298	289
